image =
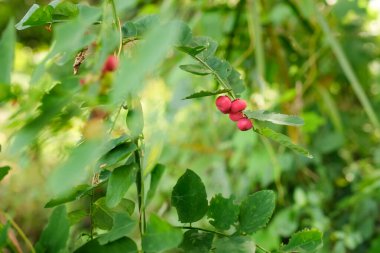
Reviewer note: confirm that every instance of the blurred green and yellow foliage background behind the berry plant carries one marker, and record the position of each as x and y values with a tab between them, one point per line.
316	59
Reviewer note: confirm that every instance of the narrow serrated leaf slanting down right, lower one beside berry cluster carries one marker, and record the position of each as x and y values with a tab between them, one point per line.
283	140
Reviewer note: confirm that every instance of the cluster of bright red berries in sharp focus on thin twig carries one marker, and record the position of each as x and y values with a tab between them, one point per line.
235	110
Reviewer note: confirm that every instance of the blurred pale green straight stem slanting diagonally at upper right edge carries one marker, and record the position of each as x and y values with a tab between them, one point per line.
347	68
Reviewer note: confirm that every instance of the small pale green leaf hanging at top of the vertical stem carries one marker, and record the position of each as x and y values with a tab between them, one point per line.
135	119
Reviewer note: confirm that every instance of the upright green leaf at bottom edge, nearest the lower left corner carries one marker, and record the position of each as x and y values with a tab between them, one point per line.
55	235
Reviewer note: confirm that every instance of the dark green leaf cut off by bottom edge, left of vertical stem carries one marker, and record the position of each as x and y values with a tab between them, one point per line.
125	245
